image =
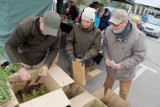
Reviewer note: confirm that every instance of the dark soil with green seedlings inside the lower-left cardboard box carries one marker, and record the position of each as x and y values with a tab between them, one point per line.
31	92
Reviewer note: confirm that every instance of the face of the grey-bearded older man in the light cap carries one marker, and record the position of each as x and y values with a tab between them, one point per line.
119	28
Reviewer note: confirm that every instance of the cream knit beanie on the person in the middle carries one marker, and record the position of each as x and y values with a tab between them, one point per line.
88	14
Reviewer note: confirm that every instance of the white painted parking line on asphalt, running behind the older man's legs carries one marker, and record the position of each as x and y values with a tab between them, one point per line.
138	73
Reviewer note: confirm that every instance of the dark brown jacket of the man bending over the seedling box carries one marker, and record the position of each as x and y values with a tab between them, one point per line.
28	45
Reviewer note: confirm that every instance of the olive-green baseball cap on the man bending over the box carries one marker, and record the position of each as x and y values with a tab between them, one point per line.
52	22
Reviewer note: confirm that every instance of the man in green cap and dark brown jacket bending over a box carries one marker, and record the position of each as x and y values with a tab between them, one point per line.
34	43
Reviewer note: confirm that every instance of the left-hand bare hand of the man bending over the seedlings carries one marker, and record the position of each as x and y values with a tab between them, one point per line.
24	75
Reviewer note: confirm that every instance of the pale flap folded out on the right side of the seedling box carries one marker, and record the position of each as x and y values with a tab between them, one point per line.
60	76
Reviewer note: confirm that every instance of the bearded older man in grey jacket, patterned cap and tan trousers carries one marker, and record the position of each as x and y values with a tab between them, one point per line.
124	48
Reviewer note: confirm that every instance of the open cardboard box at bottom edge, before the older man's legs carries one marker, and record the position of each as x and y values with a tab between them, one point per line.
111	99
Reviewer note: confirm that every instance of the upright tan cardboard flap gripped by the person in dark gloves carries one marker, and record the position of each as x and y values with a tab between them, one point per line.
78	72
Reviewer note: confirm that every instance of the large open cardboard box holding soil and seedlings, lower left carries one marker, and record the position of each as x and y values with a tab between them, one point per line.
54	80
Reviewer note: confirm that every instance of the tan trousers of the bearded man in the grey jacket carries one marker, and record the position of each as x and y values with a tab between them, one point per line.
124	86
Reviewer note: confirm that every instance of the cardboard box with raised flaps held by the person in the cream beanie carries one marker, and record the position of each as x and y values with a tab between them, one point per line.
80	75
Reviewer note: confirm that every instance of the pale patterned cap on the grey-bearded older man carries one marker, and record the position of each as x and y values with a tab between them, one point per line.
119	16
